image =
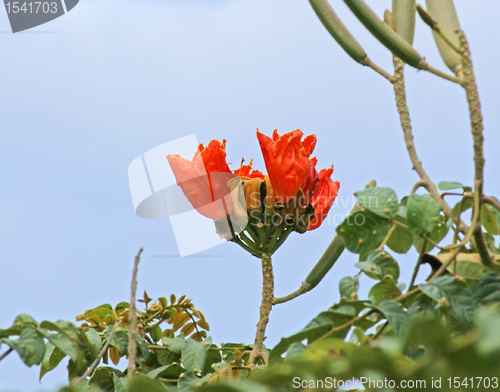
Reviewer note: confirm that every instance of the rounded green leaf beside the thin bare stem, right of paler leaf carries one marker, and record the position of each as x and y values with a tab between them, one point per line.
422	213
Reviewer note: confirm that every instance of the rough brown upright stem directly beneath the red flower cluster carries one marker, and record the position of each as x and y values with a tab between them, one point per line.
265	307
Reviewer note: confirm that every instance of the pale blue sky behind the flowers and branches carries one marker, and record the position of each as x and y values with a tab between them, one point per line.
118	78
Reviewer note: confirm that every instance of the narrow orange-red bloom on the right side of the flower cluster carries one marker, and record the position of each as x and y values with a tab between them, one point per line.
324	198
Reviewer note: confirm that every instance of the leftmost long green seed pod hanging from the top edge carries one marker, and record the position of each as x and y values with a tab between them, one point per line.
337	29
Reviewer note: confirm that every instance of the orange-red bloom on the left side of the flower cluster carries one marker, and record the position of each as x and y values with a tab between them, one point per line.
204	179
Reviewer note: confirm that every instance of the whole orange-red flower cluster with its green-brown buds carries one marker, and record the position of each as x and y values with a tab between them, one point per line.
293	196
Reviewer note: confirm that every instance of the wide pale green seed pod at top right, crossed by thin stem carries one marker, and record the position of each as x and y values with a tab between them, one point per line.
445	14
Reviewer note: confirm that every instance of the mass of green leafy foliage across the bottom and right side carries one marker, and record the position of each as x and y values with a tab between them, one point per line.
449	321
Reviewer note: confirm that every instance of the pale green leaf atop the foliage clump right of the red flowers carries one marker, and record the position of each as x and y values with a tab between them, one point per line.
381	201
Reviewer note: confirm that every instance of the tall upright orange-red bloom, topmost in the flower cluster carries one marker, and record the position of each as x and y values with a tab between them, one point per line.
287	162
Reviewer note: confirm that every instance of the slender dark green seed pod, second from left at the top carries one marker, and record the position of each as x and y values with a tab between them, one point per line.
385	34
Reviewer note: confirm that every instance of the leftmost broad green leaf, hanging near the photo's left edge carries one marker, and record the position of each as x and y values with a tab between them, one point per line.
30	346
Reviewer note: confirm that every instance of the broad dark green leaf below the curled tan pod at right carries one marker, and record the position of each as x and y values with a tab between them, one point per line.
447	291
